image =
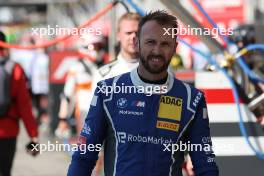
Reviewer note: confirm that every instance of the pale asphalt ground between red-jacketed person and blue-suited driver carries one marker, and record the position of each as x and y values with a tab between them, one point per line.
52	163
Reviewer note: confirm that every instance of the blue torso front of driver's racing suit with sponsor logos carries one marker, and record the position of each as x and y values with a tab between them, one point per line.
143	124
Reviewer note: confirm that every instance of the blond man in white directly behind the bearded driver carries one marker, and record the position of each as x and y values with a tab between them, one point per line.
127	58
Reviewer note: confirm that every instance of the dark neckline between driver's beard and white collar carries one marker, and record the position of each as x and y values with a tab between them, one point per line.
143	73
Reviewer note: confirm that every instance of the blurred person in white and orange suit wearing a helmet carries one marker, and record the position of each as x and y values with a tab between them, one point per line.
78	86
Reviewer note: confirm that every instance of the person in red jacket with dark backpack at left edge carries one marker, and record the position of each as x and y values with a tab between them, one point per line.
15	104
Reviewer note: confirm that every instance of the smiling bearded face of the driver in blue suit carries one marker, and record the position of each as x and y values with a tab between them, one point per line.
155	49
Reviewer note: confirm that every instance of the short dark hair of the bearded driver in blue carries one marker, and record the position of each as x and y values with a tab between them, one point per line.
161	17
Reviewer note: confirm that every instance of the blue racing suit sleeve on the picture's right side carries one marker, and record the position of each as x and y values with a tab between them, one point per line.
203	158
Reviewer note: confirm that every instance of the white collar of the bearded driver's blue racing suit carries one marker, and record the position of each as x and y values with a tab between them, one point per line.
139	83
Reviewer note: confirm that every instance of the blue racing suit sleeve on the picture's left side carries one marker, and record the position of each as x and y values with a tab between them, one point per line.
91	138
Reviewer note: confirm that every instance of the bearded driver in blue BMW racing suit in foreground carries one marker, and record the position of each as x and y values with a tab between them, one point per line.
145	126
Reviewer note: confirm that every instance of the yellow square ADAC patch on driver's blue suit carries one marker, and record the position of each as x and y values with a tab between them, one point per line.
170	108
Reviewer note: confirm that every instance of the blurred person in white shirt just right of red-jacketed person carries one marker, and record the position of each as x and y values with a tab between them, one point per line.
35	64
